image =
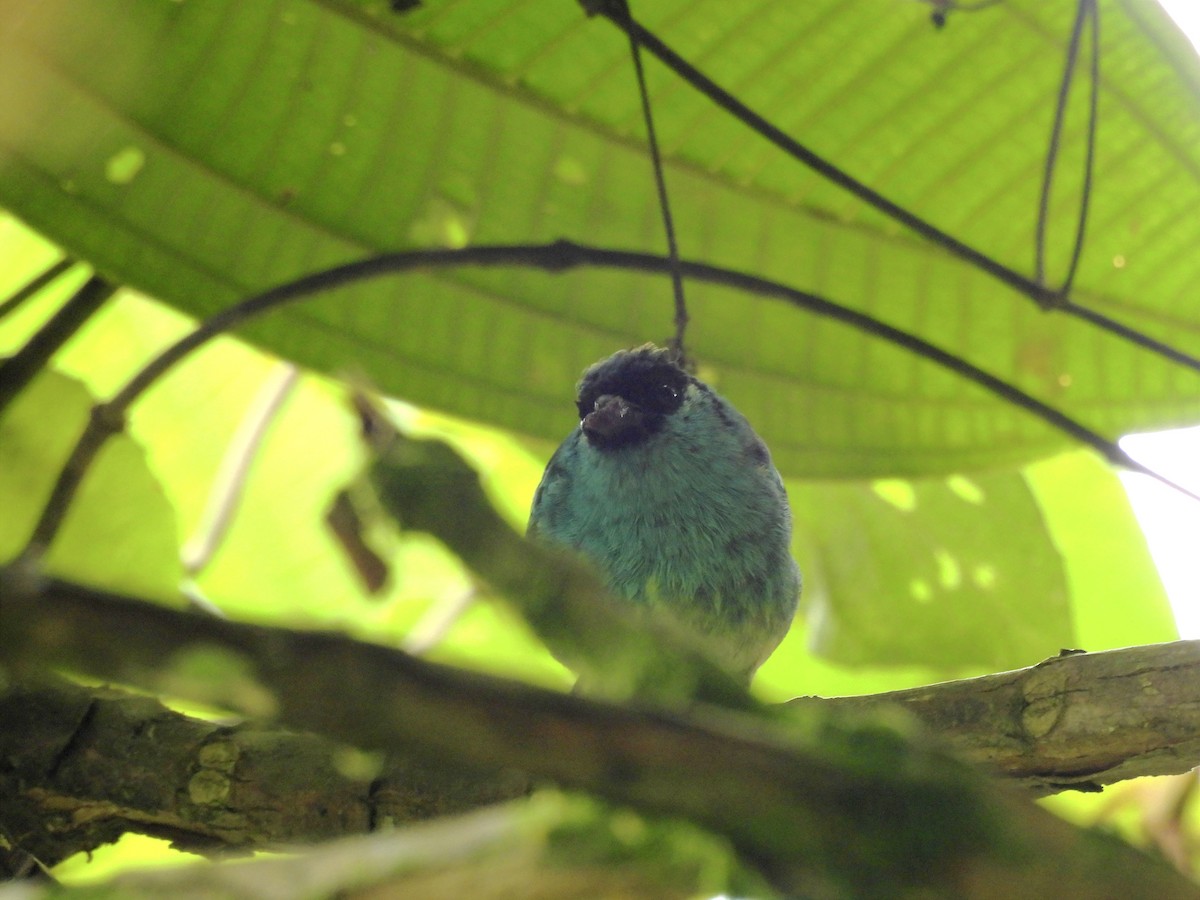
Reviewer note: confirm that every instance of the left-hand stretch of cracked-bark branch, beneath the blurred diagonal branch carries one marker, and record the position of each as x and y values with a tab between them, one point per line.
85	766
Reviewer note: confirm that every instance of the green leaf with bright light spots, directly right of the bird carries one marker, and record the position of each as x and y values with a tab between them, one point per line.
949	574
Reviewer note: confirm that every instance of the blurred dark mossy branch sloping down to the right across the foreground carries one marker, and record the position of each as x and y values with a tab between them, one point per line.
789	794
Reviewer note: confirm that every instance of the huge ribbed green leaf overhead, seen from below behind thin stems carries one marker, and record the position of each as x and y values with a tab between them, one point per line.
206	151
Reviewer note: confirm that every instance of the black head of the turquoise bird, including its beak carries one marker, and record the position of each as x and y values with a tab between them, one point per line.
627	398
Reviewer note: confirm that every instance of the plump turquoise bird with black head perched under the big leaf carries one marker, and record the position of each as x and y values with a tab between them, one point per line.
670	494
